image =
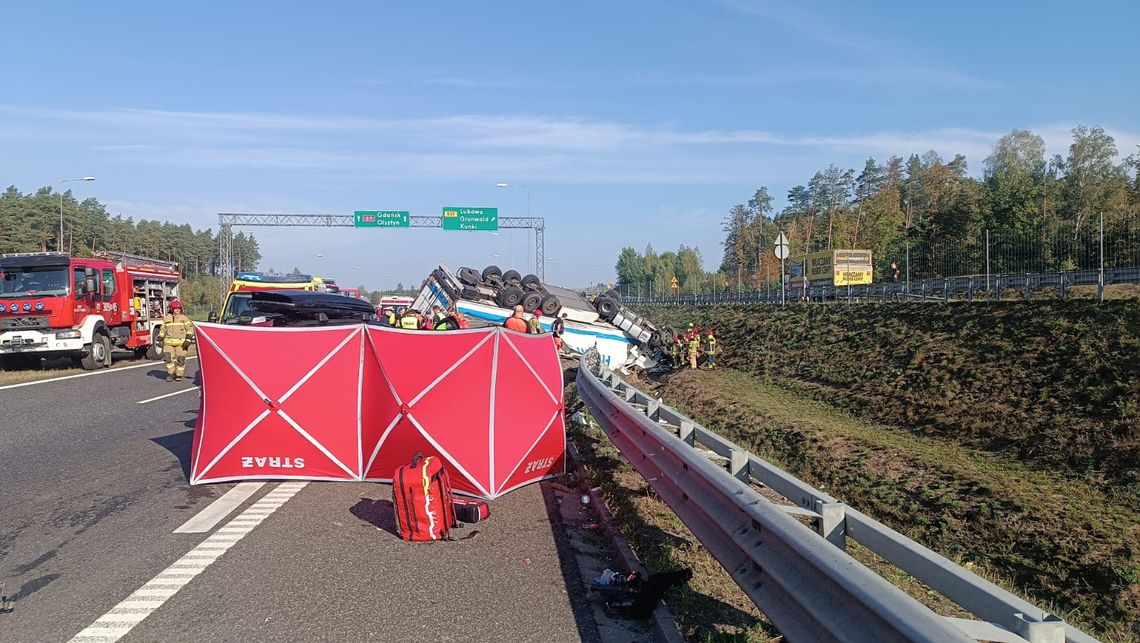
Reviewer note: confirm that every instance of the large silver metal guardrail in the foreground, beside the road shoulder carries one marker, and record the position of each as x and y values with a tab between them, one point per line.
802	580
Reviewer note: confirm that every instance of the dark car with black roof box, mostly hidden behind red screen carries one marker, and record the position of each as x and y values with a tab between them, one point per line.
306	308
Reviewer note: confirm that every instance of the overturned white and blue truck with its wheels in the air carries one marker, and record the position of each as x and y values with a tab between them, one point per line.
490	297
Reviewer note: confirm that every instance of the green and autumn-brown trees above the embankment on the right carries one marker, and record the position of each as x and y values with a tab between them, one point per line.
1043	210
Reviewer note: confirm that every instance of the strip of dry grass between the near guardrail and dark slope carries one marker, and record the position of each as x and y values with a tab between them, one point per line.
1069	547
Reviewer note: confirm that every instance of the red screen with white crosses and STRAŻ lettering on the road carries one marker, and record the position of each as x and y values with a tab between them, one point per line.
355	403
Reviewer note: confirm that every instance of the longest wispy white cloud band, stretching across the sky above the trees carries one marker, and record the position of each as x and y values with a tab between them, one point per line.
476	145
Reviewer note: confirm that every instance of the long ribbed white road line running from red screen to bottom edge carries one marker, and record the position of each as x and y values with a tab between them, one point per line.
115	625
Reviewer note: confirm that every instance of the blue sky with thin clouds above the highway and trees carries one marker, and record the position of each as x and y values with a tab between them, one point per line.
631	123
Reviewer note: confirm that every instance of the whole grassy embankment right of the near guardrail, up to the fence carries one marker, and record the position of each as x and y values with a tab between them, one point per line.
1005	437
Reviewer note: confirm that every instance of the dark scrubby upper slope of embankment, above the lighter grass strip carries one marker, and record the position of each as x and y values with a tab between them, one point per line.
1054	385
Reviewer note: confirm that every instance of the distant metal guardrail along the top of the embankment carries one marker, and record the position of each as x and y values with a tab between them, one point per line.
970	288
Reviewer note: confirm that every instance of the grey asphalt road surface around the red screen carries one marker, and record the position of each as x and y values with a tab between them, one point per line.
94	485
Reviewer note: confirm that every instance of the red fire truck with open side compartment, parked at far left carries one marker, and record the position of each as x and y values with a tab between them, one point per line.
53	305
